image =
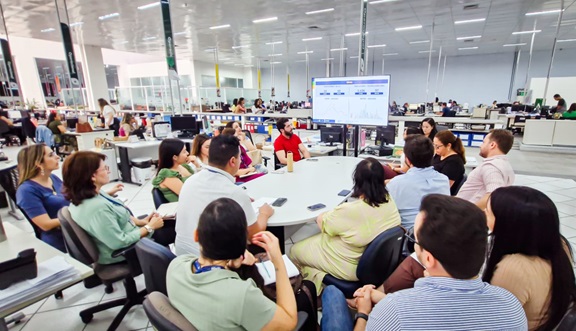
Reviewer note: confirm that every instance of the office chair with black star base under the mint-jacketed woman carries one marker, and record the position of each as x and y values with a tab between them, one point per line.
81	247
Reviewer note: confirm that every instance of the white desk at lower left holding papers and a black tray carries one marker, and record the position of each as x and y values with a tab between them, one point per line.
19	240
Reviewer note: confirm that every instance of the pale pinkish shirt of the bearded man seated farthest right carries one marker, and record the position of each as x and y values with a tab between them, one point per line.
493	173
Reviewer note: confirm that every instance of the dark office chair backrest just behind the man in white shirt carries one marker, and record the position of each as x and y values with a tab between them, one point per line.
154	261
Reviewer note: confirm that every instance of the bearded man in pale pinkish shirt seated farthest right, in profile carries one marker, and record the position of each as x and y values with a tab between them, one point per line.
494	172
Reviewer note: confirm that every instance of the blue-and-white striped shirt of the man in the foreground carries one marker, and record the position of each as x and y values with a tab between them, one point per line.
440	303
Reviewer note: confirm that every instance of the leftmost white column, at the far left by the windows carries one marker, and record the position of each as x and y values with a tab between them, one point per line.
30	84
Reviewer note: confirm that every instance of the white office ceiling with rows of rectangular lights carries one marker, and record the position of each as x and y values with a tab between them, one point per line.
140	31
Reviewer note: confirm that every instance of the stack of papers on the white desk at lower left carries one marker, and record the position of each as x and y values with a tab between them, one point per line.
52	274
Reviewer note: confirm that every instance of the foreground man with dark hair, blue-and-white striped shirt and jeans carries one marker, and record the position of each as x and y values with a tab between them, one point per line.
450	242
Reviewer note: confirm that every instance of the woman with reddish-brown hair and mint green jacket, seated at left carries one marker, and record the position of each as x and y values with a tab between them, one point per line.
104	218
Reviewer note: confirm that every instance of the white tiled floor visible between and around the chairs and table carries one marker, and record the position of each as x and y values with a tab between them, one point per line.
553	174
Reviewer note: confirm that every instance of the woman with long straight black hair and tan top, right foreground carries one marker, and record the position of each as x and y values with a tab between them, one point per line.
529	257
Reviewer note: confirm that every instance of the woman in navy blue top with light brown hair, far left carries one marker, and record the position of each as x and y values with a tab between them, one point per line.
39	193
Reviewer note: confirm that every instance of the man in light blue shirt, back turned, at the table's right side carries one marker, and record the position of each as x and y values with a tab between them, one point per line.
420	180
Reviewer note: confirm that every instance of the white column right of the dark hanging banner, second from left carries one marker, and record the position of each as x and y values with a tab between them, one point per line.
95	76
